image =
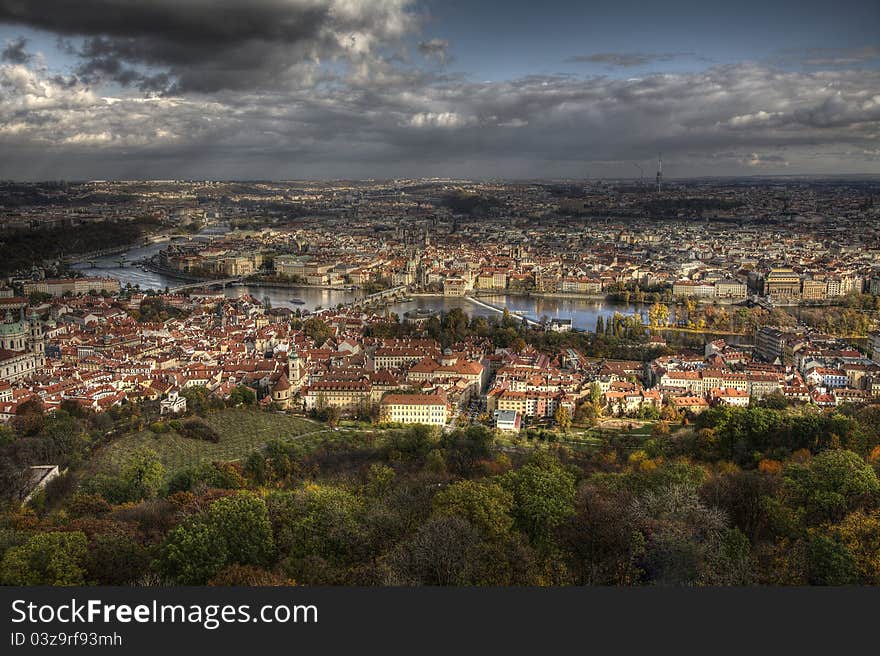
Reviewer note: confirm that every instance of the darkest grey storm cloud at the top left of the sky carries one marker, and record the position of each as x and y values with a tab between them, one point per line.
207	45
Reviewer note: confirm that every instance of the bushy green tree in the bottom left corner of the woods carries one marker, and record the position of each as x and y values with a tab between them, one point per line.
52	558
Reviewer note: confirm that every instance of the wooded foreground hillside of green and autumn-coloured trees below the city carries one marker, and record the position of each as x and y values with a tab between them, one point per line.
735	500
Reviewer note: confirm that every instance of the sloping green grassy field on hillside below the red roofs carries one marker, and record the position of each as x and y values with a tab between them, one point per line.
242	431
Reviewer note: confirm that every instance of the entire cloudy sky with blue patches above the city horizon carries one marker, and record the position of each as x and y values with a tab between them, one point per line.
295	89
